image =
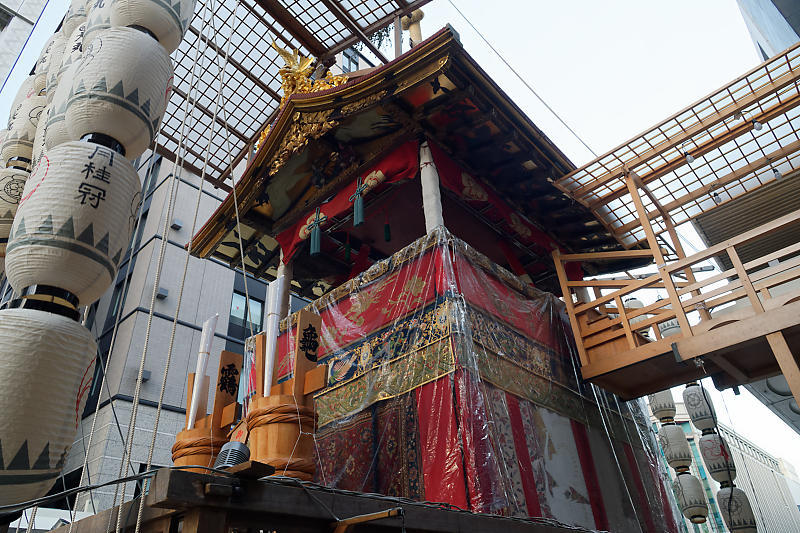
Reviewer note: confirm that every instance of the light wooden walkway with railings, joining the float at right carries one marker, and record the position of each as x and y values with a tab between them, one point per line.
738	326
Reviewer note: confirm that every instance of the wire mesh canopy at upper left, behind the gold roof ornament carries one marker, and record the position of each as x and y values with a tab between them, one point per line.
235	89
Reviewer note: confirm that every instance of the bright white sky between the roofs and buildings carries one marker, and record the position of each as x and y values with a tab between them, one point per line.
611	69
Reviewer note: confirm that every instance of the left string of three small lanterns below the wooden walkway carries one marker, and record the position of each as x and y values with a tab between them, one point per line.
688	490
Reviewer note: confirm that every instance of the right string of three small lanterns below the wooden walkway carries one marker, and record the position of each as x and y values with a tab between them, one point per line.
733	502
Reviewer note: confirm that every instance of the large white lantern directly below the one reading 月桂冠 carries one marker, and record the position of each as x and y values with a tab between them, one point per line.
46	363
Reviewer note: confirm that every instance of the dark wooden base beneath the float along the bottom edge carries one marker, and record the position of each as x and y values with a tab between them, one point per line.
202	503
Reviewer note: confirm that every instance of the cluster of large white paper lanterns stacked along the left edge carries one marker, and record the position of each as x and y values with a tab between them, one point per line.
69	197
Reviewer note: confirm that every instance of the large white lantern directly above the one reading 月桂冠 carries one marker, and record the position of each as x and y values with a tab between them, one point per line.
120	89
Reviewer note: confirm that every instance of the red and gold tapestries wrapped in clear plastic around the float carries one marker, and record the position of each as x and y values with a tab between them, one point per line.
451	381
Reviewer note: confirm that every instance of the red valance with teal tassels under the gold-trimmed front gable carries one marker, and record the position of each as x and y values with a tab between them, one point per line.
401	164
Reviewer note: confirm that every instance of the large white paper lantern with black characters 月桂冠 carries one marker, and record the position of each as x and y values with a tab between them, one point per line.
74	221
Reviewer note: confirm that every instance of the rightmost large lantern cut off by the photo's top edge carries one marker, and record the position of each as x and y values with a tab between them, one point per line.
167	21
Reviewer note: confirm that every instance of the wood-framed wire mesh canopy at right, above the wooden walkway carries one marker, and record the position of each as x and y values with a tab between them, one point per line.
733	141
